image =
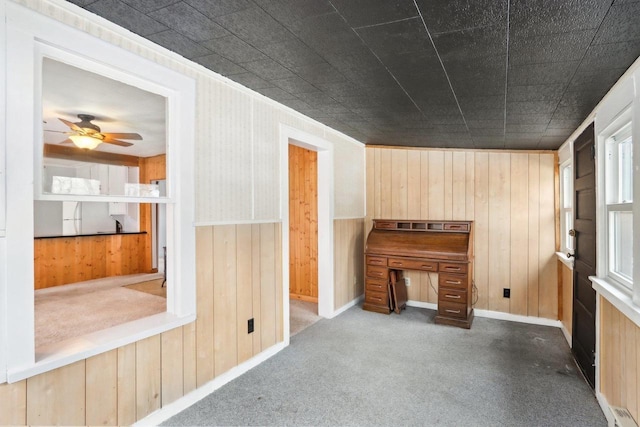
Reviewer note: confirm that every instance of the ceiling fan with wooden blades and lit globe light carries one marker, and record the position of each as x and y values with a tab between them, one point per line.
88	135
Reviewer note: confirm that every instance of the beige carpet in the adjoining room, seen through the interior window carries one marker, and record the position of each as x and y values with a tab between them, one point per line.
70	311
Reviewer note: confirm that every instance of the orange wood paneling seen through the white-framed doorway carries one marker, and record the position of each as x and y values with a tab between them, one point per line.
303	224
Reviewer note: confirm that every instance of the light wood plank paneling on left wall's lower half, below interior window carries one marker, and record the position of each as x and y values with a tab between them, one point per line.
239	276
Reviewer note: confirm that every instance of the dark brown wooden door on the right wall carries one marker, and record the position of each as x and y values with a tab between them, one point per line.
584	297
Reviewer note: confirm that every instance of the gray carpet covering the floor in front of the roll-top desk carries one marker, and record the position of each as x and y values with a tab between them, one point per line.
364	368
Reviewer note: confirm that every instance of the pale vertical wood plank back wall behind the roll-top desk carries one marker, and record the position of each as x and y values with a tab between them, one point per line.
510	196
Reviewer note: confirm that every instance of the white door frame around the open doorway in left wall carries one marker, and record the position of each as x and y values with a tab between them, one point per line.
324	148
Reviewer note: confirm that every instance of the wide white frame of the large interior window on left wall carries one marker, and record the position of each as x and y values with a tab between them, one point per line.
25	29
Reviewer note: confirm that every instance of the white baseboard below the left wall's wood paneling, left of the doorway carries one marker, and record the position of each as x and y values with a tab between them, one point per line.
173	408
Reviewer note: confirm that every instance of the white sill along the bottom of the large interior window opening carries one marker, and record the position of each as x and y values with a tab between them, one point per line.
64	353
